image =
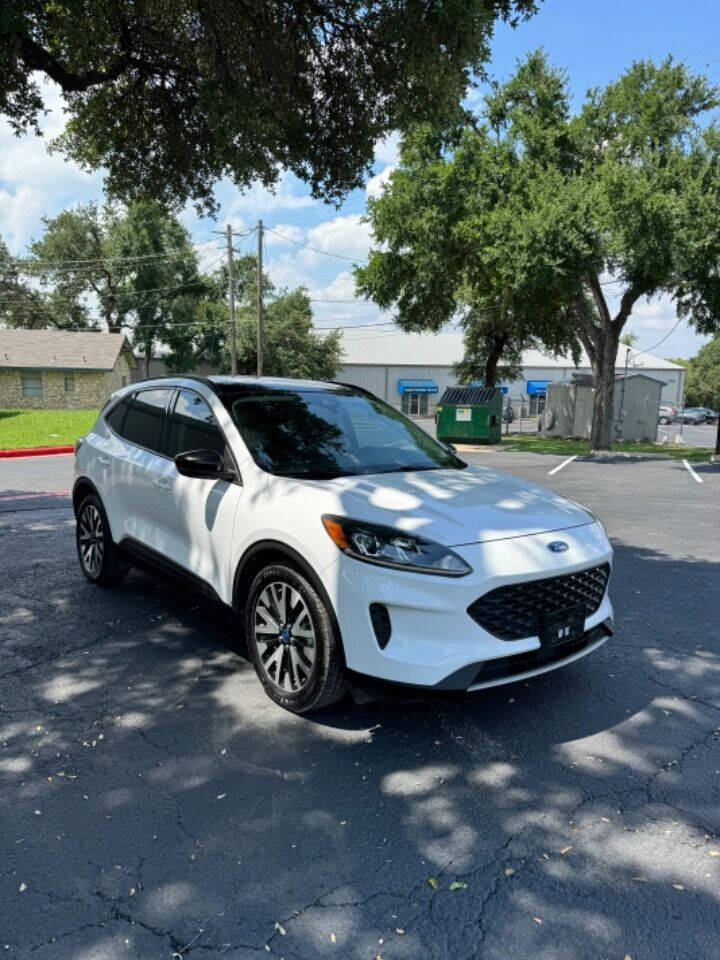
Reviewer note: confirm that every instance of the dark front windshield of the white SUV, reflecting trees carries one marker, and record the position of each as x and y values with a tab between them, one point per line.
319	434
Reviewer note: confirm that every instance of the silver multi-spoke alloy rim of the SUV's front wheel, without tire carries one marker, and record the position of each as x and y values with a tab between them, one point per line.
285	637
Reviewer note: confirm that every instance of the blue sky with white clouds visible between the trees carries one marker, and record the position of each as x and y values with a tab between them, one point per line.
594	41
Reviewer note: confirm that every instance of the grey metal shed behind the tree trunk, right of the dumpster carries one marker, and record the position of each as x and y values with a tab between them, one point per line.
636	403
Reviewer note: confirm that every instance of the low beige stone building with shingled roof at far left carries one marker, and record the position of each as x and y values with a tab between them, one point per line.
59	370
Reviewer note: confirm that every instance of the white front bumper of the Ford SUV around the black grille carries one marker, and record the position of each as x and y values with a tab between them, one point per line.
434	642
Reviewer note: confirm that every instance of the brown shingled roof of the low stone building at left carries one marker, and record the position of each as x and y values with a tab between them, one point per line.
62	350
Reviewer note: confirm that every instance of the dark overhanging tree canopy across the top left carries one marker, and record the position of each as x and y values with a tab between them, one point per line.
169	97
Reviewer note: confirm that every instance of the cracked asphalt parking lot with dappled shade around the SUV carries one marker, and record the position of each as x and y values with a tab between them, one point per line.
155	804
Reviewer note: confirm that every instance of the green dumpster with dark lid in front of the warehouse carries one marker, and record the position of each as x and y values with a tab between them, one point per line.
470	415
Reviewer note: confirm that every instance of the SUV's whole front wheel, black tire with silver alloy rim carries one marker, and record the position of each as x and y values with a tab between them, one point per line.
300	665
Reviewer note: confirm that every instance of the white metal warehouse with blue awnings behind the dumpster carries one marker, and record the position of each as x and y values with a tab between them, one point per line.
411	370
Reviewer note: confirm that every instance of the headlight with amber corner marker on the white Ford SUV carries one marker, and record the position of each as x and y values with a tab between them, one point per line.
393	548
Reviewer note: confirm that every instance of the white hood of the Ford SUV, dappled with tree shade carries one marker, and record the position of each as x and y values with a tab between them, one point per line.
452	507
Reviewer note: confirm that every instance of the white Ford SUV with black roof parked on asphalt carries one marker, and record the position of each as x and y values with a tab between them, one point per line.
358	549
